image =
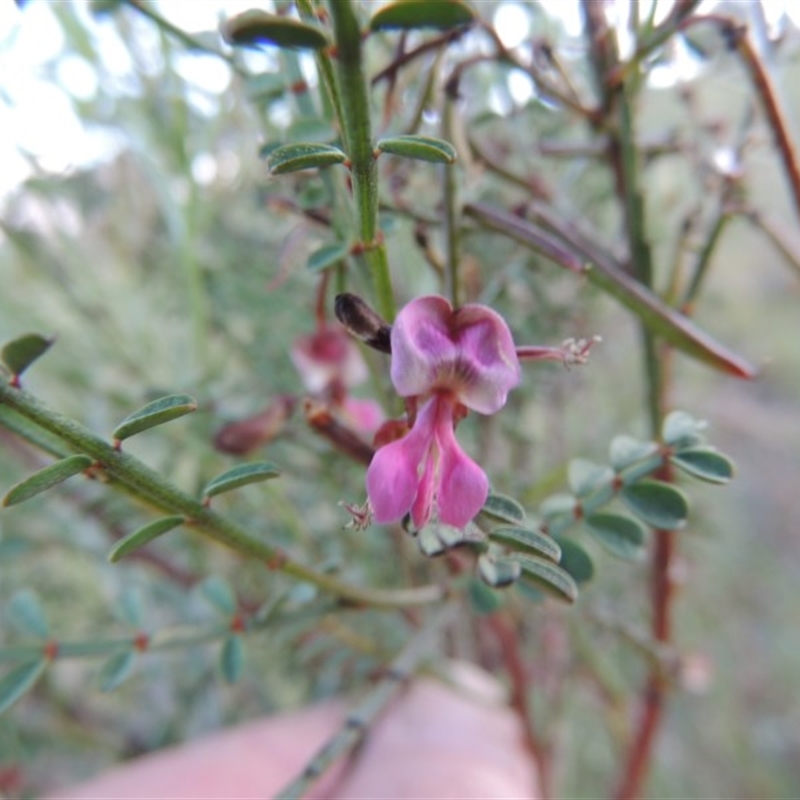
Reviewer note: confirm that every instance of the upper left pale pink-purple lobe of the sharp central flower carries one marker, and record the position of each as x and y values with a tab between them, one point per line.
421	343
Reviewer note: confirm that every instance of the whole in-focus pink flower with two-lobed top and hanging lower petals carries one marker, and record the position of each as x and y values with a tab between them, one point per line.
446	360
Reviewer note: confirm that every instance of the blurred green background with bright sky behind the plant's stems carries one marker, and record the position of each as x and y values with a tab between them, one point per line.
158	252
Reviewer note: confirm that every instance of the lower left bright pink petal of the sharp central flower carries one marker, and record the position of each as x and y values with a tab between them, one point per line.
393	475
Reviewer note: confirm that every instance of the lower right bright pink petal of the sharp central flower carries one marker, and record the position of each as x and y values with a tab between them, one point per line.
463	485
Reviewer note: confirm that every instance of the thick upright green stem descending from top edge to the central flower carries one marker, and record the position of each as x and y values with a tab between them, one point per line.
357	133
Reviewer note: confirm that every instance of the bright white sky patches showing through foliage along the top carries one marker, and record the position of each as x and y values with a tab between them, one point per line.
40	76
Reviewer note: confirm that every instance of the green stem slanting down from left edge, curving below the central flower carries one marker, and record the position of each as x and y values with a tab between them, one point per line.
150	487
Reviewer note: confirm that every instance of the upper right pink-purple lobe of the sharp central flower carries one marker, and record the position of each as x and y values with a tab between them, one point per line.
488	357
